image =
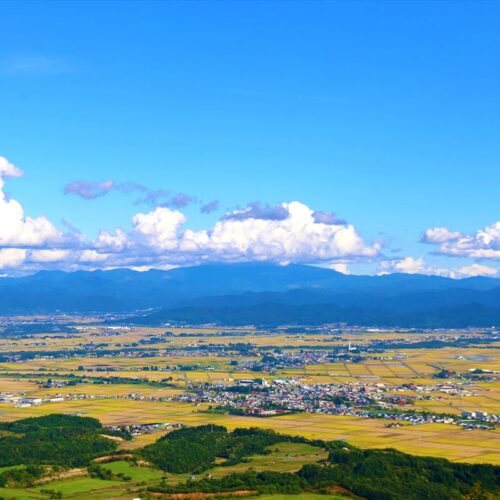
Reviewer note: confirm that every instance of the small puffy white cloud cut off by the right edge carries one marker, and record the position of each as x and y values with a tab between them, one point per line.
483	244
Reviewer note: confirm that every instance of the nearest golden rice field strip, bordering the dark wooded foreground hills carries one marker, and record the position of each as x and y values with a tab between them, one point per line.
441	440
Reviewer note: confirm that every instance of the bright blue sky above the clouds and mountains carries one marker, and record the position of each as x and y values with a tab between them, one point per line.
385	113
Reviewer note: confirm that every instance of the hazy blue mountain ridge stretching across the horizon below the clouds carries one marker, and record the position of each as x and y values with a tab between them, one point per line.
259	293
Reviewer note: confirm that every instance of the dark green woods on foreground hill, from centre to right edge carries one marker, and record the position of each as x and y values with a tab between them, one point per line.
373	474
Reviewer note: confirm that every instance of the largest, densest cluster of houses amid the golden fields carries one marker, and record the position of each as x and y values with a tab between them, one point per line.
260	398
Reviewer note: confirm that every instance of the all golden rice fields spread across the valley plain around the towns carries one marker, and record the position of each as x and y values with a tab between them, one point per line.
393	368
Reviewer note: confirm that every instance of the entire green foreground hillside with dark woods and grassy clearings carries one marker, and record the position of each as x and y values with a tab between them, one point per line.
34	458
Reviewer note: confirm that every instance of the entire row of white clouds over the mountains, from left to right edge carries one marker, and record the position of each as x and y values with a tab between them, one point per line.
161	237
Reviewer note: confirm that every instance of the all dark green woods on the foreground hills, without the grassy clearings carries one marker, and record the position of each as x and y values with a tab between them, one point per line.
46	444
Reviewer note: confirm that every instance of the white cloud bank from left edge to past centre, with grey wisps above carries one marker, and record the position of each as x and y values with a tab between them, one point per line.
287	232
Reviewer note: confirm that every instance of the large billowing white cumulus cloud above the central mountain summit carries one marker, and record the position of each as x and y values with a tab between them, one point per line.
293	237
